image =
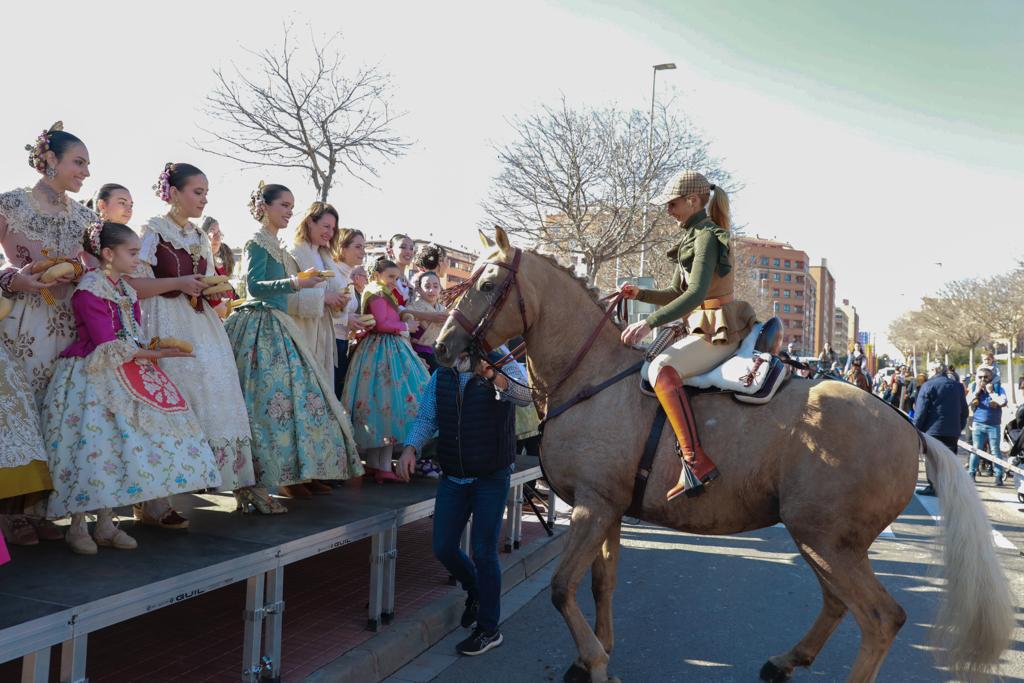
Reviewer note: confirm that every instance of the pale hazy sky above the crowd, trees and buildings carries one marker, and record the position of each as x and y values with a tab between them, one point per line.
885	138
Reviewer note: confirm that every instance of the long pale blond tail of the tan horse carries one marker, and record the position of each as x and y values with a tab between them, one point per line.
976	619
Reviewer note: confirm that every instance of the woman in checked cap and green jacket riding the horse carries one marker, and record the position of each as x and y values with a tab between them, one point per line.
702	295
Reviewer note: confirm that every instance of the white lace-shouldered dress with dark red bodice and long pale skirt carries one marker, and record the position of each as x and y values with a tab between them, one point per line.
209	382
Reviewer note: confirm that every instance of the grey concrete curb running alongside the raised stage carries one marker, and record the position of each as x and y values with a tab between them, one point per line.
405	641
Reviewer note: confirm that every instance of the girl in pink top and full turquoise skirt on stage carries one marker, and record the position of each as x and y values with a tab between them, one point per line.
386	377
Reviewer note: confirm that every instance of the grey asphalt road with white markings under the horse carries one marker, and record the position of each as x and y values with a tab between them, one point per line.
714	609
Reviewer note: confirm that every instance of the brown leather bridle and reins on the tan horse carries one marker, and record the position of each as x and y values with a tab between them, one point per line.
478	332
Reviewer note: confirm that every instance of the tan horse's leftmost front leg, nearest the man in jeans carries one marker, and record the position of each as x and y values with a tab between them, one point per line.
591	525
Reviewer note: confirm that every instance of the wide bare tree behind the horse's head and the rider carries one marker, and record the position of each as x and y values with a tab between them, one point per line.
577	182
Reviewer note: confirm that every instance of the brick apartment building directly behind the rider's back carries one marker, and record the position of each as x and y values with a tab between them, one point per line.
774	277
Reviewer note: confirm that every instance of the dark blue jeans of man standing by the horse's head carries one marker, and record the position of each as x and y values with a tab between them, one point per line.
485	499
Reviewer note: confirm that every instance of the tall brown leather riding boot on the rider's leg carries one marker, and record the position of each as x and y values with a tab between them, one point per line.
698	468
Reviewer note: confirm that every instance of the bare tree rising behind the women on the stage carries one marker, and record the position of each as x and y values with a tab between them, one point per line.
315	118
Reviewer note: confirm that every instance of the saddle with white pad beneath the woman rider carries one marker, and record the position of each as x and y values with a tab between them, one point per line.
753	375
